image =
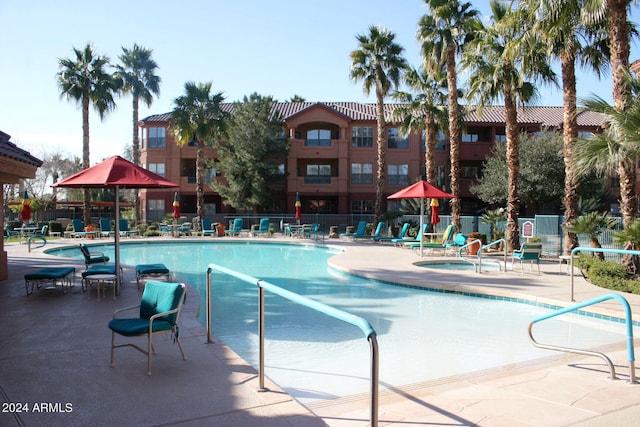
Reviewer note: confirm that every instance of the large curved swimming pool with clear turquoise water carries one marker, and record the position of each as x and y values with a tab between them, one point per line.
422	335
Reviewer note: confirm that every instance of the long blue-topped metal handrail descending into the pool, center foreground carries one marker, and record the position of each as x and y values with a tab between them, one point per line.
365	326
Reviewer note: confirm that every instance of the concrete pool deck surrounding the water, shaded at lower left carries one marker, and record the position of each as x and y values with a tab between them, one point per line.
55	351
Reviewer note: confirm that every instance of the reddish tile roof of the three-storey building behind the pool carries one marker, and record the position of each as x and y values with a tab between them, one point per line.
357	111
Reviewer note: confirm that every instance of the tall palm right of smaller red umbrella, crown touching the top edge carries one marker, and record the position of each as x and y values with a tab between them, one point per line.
443	33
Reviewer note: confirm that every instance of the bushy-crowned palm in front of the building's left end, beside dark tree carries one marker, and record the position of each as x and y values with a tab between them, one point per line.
198	115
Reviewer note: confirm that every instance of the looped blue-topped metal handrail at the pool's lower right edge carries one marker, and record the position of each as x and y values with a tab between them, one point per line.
629	331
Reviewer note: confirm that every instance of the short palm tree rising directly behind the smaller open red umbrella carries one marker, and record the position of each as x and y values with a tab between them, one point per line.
423	109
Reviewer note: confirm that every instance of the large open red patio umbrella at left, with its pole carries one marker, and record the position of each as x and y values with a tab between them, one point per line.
116	173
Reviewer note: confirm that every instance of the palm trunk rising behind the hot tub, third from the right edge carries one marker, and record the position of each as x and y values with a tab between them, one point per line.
512	235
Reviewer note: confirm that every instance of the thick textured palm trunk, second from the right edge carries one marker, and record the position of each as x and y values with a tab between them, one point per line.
570	136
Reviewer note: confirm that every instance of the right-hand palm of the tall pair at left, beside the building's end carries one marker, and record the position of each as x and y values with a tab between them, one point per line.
137	72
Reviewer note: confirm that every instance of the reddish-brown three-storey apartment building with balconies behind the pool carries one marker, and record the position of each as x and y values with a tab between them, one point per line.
332	162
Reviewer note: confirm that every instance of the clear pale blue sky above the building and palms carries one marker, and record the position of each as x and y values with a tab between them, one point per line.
279	48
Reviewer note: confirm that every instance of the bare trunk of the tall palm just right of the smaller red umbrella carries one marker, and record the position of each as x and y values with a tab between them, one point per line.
455	136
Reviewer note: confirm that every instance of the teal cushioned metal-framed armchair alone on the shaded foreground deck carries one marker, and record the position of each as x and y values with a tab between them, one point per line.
159	312
